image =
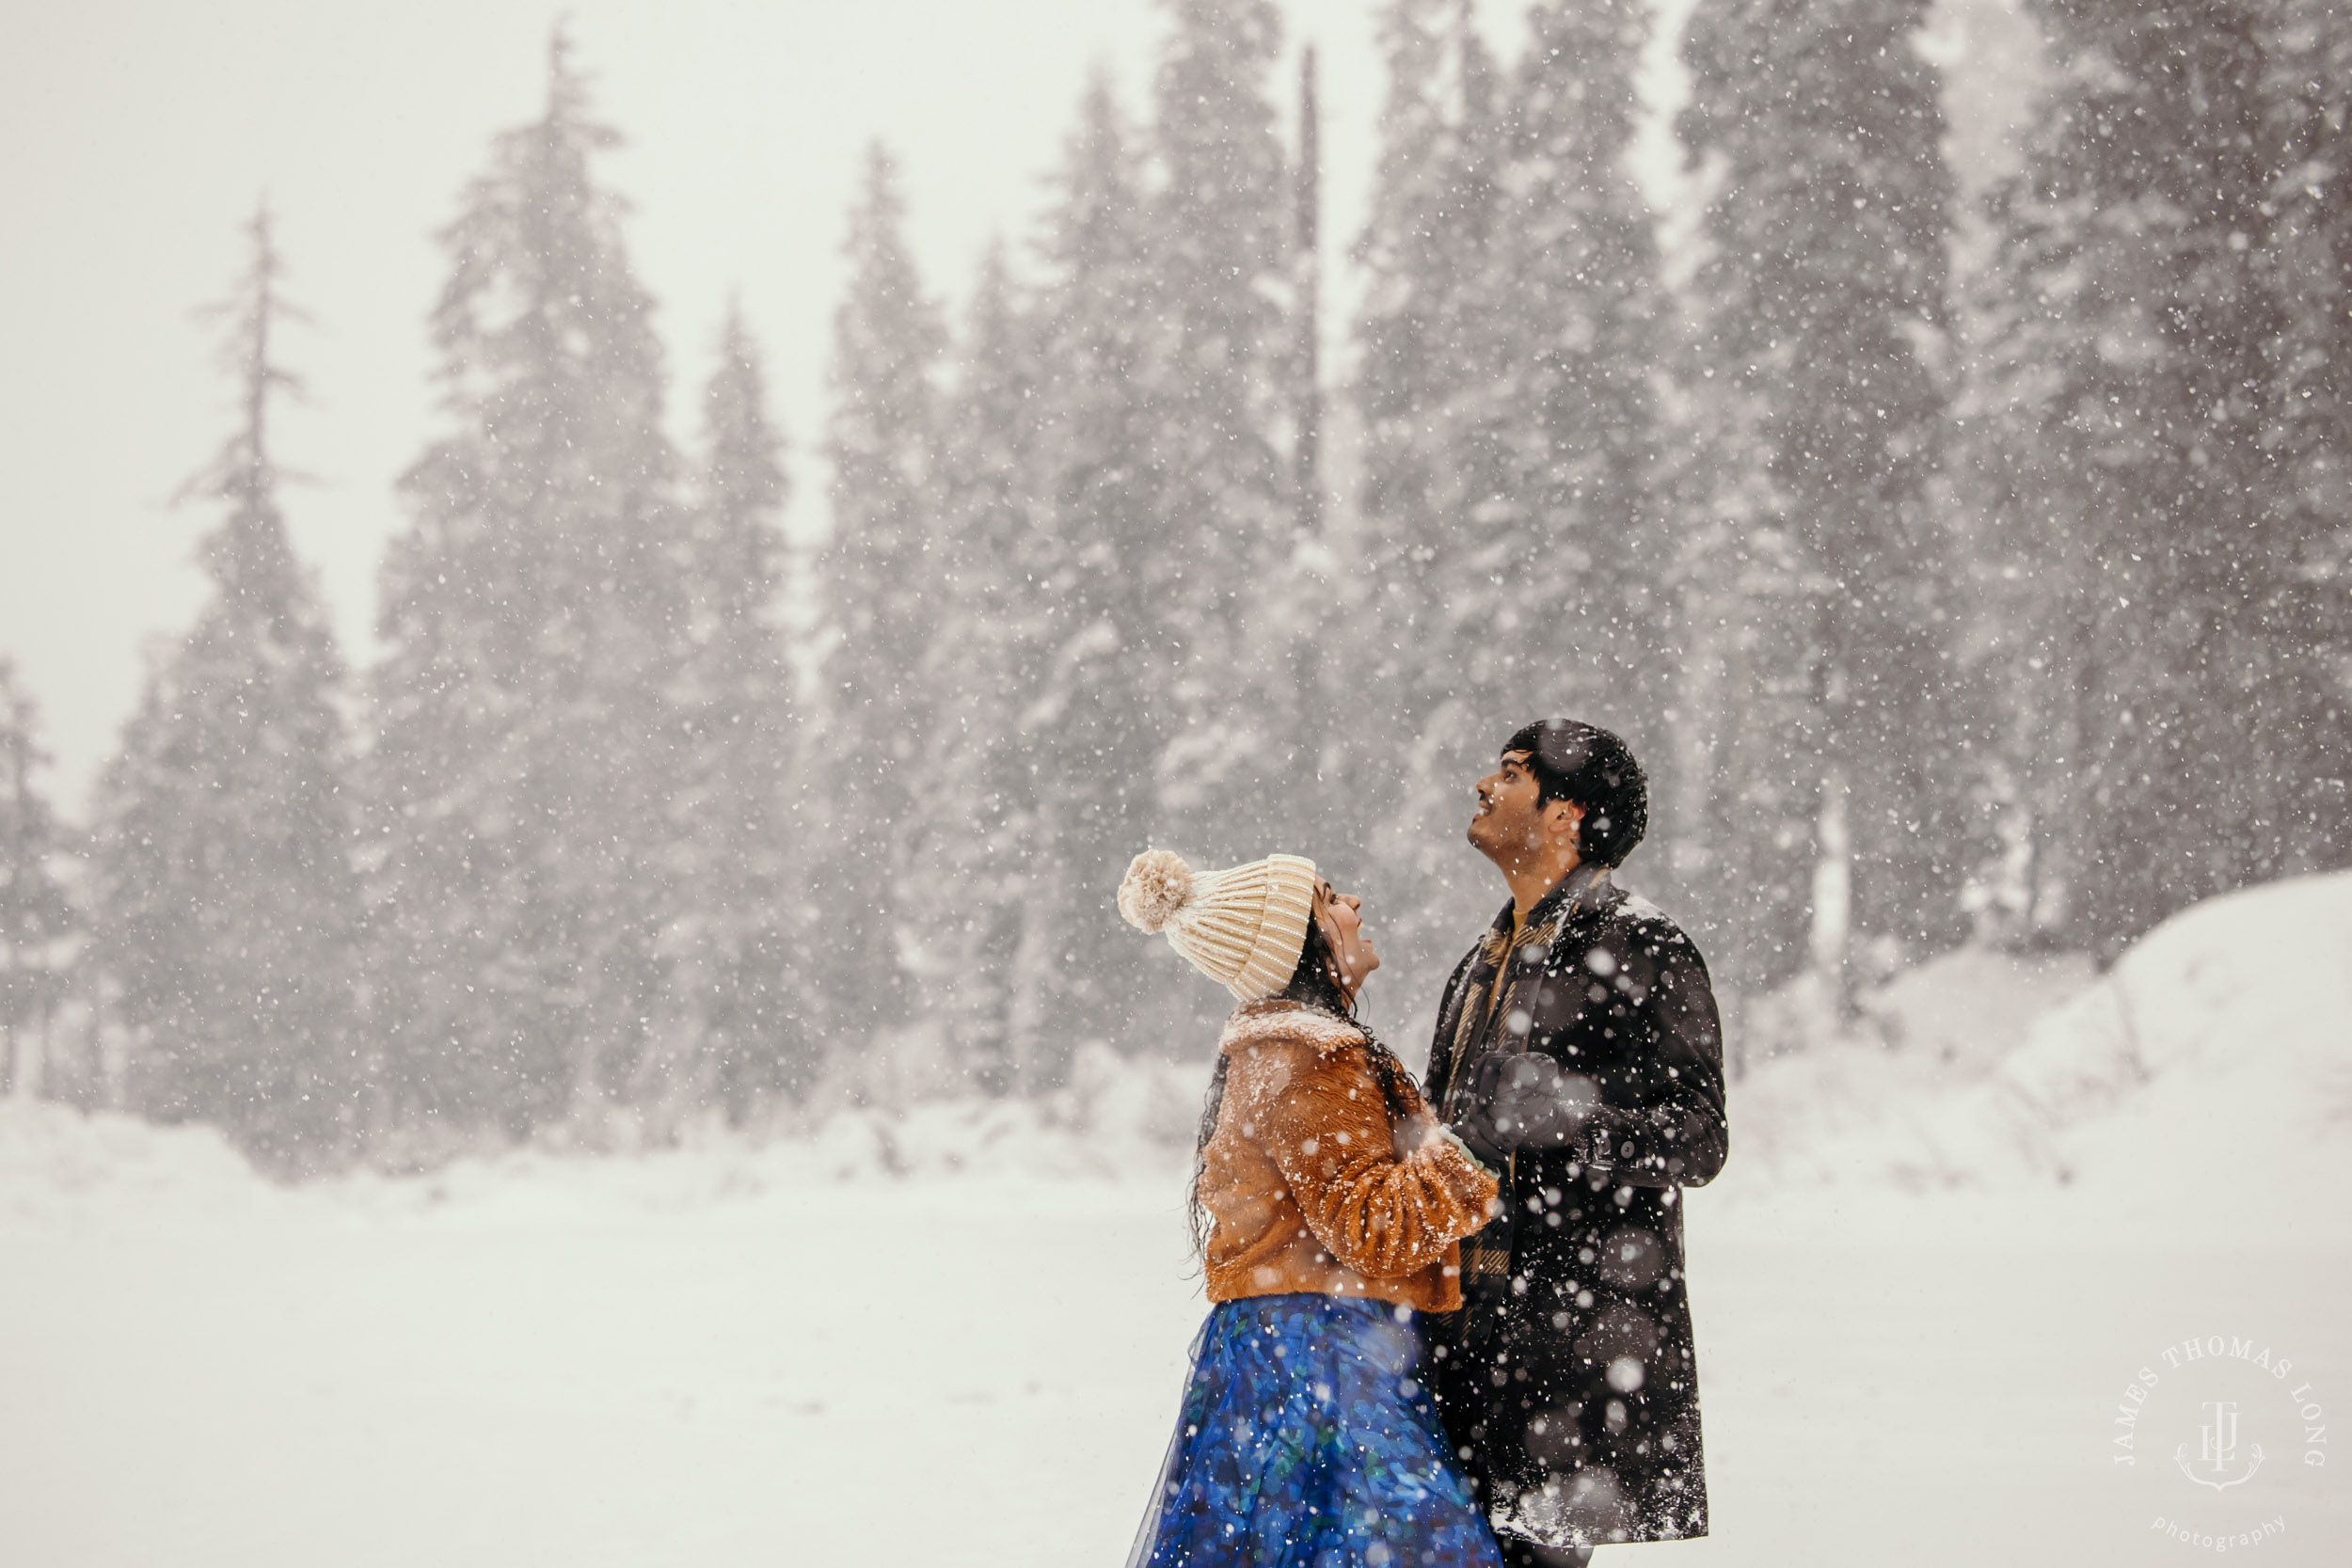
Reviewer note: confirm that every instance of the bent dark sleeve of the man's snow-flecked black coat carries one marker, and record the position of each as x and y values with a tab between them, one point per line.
1673	1130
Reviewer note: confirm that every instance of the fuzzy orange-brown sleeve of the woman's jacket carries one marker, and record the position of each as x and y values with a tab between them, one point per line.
1387	1202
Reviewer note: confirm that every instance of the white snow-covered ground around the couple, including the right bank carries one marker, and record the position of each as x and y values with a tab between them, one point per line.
1925	1289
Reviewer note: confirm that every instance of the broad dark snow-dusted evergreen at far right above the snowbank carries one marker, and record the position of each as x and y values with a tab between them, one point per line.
2167	542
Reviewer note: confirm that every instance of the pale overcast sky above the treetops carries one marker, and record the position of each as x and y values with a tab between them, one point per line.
135	138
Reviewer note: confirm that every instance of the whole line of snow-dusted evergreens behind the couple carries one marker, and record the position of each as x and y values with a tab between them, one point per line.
1958	570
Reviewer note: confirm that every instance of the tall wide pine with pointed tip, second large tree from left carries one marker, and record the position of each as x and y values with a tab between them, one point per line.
526	732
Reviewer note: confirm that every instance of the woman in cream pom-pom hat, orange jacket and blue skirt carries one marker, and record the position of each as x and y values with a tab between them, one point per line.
1328	1207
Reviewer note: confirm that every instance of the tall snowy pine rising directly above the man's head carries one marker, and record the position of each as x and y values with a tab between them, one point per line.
1561	575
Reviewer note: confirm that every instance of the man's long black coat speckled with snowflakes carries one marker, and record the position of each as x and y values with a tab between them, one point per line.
1575	1388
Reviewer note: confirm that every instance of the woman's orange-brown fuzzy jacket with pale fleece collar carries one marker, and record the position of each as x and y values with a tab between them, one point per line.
1314	1188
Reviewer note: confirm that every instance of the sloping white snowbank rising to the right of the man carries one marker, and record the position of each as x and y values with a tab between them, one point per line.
2203	1087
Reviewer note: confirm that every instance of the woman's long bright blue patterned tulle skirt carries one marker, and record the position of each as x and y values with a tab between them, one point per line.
1307	1442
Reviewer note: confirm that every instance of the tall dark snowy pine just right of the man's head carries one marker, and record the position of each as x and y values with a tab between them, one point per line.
1824	304
